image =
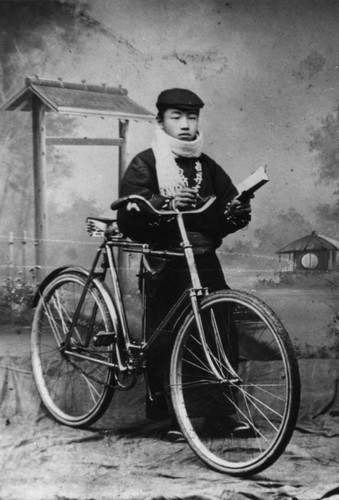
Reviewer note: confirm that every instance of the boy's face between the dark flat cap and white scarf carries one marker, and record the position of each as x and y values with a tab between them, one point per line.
180	124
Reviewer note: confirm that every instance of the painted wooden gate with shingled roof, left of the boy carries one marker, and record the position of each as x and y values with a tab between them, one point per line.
40	96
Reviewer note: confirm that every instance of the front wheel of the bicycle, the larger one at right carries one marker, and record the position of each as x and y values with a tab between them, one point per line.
238	404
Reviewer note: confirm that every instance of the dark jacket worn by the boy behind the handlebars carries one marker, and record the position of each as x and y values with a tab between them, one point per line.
141	178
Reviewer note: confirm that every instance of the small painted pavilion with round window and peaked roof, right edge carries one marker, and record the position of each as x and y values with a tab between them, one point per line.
313	252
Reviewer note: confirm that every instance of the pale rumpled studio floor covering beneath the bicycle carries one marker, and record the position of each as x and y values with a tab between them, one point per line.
126	457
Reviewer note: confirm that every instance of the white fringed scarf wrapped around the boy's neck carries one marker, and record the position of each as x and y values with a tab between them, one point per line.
165	148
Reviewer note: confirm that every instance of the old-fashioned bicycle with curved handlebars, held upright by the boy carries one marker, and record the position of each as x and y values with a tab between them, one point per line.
82	352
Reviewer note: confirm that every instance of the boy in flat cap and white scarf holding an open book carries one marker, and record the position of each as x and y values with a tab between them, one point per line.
175	173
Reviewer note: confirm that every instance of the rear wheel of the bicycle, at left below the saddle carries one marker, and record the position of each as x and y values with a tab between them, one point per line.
75	391
